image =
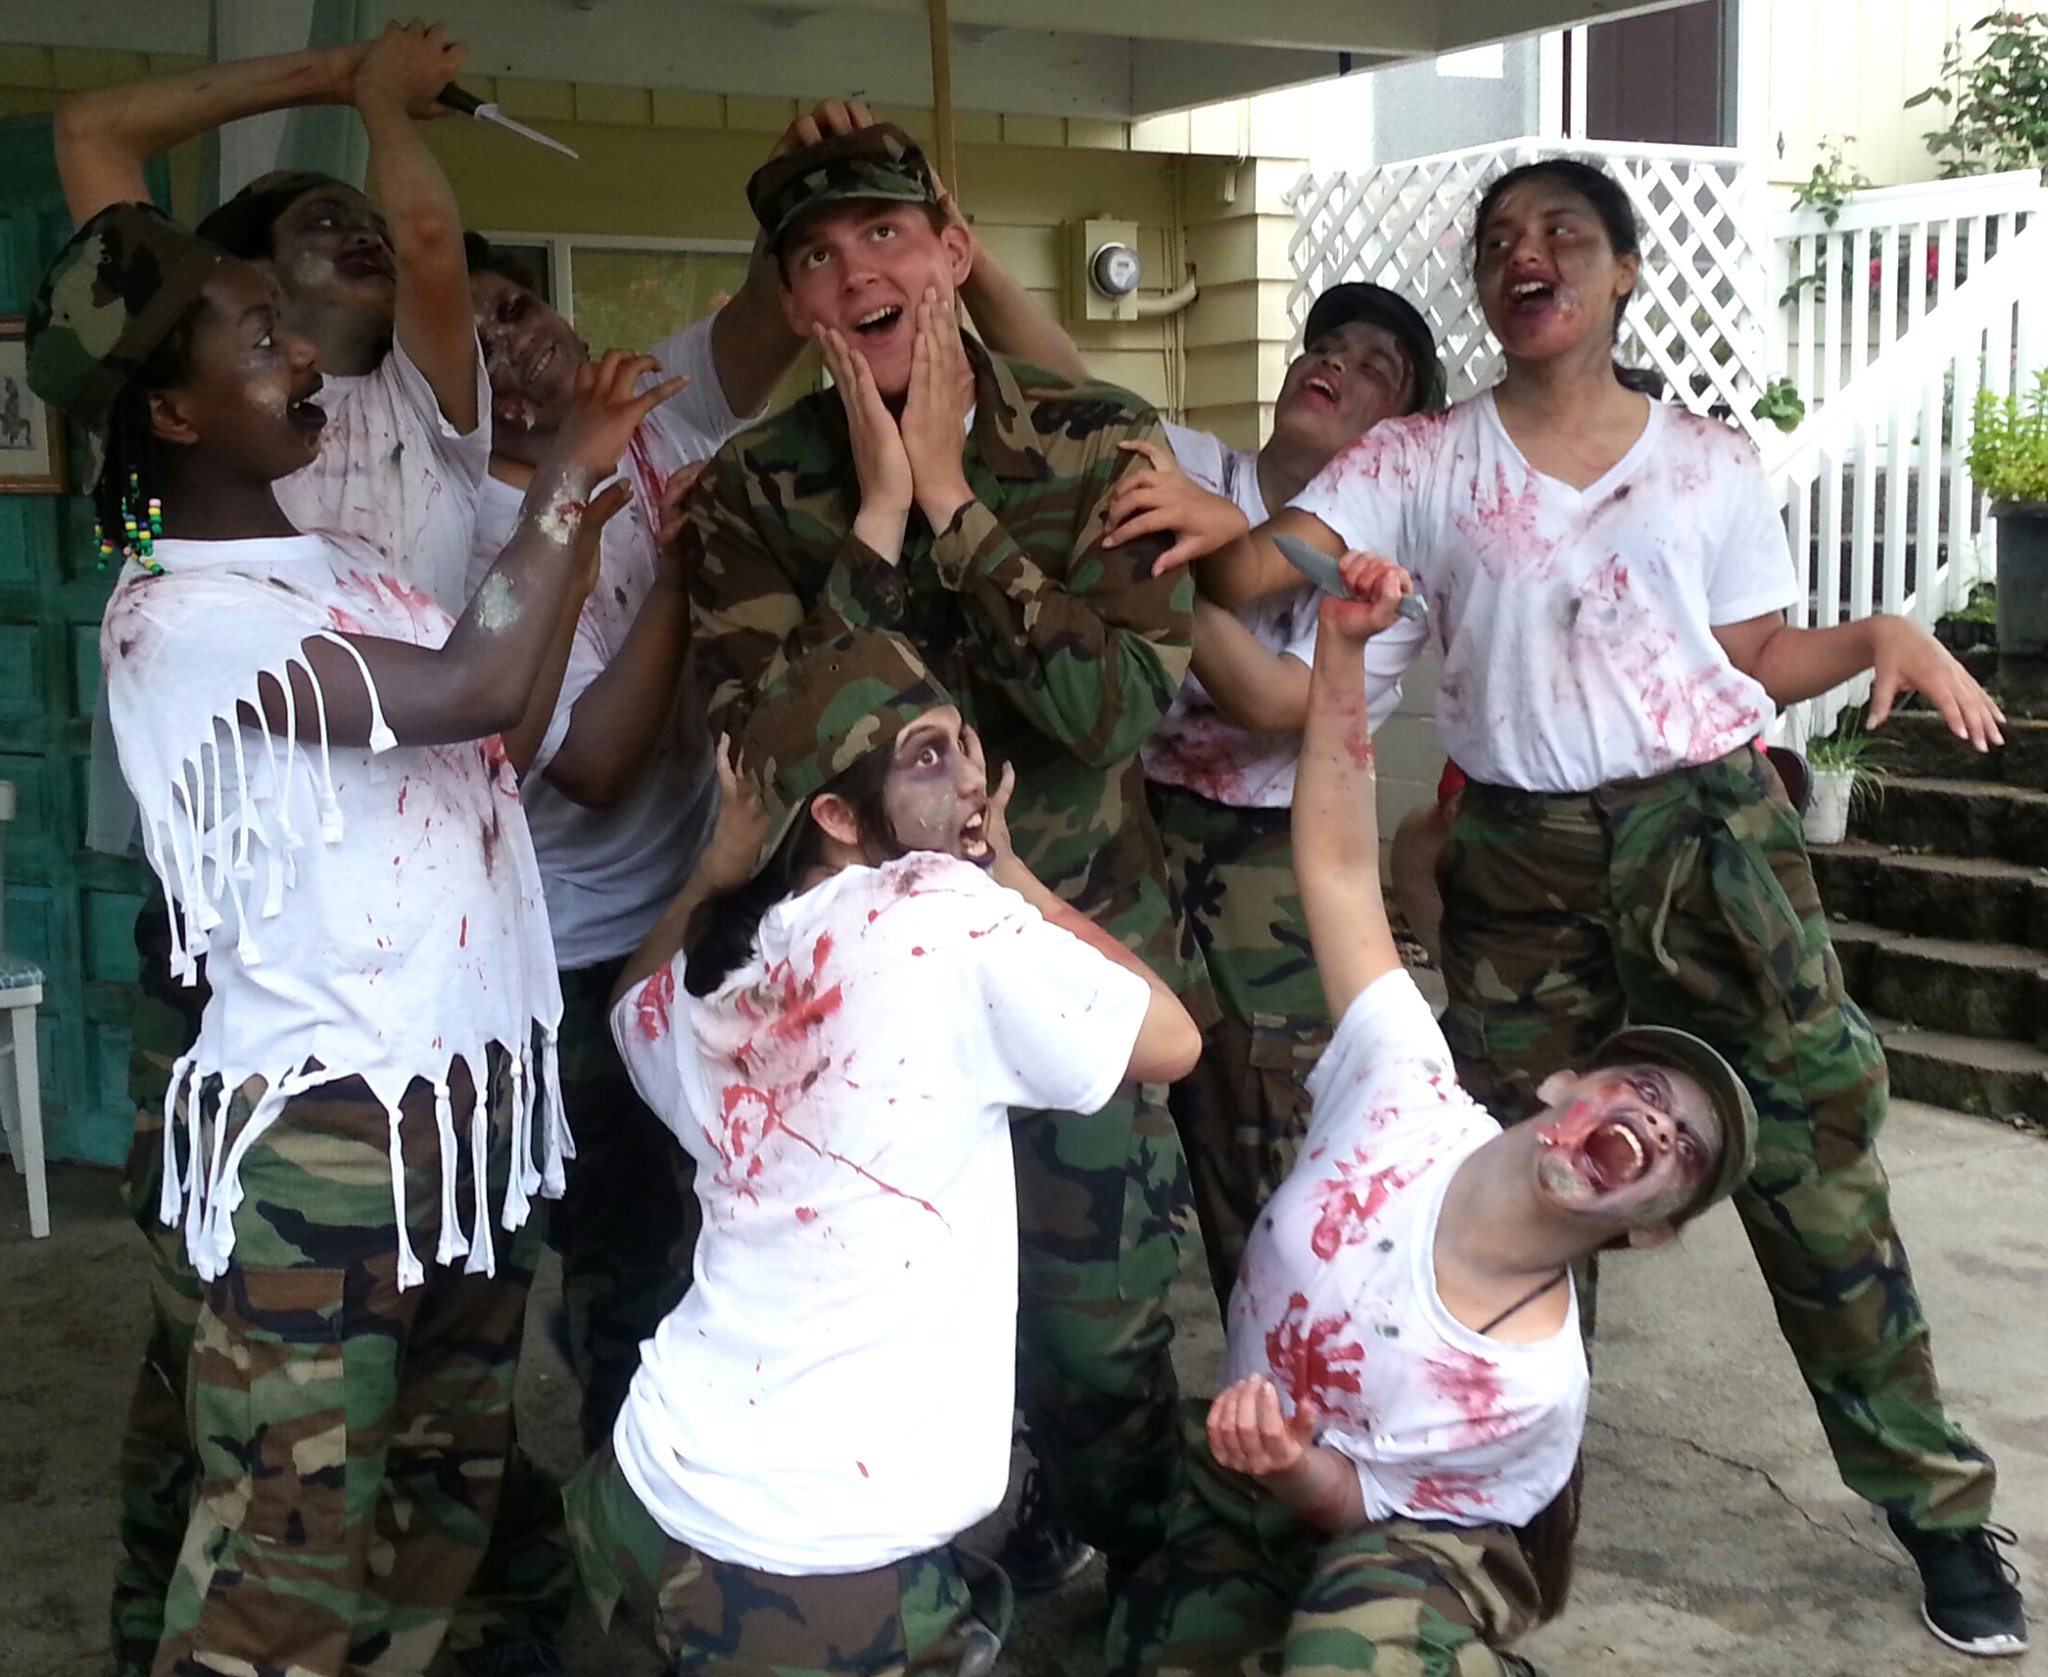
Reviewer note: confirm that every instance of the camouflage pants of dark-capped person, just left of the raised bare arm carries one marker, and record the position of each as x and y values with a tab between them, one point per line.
1242	1113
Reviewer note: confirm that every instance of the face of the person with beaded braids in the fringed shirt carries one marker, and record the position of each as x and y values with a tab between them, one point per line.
251	396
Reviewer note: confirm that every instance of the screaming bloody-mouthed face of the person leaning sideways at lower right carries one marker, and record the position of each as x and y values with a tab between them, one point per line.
1629	1146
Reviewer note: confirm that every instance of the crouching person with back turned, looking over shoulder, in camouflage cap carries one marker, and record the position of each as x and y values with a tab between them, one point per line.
839	1039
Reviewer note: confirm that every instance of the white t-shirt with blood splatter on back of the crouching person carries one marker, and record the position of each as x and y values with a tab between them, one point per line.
835	1391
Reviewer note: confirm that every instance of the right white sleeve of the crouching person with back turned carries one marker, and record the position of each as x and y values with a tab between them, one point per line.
1062	1019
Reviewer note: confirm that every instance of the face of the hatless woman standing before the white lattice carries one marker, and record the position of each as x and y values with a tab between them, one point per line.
1547	273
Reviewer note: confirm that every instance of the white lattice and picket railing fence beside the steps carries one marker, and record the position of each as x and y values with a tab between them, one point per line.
1887	327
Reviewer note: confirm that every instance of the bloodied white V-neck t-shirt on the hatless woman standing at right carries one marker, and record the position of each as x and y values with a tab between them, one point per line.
1576	623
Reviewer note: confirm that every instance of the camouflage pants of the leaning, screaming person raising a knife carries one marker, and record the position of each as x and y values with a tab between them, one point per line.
1246	1588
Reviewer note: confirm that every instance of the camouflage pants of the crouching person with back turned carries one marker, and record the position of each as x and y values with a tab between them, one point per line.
720	1619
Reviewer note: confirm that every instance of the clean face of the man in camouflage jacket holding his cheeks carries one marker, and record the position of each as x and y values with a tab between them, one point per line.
861	269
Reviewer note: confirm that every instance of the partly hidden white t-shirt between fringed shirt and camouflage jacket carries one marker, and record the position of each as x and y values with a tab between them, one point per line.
609	873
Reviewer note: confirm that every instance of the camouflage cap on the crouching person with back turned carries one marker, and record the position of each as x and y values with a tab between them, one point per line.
826	712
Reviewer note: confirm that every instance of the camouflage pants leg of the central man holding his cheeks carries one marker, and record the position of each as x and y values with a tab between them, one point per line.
1103	1213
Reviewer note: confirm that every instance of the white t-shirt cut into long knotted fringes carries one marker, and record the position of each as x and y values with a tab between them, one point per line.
368	910
